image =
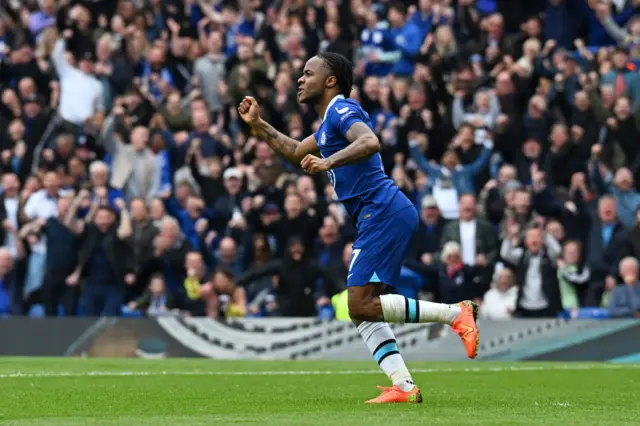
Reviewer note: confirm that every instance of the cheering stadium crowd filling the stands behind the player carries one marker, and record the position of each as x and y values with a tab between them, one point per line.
129	183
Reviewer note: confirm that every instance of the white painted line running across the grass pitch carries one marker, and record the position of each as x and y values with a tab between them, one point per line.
567	367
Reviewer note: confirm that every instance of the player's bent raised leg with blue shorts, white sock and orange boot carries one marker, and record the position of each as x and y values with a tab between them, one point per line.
378	257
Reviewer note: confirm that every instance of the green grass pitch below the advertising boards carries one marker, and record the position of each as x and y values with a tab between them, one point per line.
74	391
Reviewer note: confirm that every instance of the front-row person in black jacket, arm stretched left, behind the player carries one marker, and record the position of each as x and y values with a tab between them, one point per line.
300	286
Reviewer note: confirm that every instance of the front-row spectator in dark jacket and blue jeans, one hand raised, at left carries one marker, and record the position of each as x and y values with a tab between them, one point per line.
104	260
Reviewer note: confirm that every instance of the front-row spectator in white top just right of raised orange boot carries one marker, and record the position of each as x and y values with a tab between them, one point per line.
499	303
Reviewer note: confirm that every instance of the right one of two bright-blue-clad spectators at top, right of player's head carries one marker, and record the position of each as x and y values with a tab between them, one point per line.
407	37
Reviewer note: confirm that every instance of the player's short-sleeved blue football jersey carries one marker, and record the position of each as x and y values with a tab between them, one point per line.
363	188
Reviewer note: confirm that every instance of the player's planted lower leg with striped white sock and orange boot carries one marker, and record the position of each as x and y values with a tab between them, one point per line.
381	341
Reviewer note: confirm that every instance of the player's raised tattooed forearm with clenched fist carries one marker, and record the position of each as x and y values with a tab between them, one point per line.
288	148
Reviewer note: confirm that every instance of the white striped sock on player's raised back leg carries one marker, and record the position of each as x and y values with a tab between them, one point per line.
400	309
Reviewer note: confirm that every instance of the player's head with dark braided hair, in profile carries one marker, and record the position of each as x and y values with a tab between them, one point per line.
325	74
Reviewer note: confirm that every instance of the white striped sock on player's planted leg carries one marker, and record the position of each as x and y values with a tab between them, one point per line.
382	343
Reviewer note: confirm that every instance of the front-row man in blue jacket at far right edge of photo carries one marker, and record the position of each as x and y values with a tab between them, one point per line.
625	299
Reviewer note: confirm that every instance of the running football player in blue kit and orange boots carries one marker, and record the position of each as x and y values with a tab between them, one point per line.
348	151
